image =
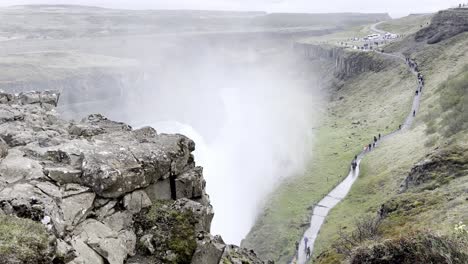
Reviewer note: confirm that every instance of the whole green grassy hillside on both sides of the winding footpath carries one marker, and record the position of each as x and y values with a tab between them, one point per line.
379	102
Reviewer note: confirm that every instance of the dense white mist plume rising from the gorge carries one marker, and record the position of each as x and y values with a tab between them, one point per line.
250	113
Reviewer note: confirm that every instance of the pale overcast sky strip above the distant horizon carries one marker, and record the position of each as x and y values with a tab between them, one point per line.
394	7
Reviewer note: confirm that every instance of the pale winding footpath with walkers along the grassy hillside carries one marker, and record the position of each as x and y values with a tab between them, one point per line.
322	208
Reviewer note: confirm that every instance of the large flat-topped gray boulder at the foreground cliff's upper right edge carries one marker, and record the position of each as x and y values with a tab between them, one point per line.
118	164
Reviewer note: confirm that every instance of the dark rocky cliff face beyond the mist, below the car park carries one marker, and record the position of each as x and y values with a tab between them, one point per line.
348	63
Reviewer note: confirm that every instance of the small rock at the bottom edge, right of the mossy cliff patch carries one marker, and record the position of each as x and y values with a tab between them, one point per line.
209	249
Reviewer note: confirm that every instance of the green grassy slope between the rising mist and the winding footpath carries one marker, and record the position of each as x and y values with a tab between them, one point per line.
364	106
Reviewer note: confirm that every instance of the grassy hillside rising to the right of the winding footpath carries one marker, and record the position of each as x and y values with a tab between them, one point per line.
438	202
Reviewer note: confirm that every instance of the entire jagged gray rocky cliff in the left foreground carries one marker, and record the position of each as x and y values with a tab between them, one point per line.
98	191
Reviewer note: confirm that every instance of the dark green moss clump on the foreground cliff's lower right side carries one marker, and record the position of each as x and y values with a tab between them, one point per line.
171	230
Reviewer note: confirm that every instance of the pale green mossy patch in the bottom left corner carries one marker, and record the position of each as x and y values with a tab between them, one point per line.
23	241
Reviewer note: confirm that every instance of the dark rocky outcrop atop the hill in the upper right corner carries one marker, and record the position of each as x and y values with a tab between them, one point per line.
444	25
